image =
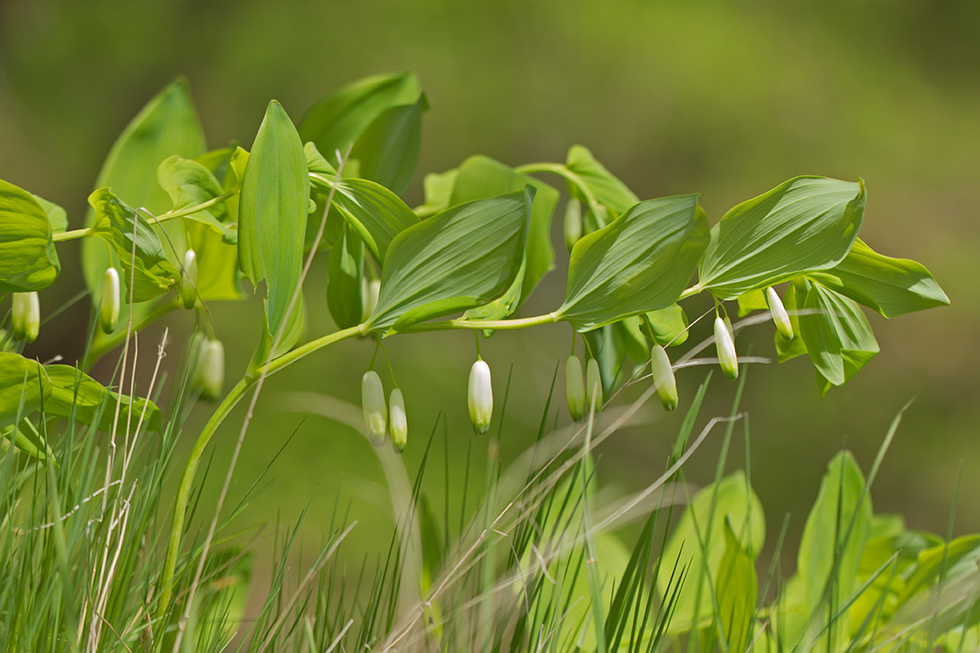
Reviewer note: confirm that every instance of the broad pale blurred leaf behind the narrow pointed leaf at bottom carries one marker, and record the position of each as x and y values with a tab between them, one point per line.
698	546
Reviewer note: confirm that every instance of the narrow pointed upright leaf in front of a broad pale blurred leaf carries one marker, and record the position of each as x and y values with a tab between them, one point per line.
737	591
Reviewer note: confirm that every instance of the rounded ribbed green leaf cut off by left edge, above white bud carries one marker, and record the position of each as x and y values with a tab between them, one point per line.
28	260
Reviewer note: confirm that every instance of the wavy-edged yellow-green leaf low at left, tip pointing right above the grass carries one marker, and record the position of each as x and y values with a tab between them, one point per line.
75	395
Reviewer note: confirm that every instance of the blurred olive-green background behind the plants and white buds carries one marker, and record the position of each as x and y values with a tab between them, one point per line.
725	99
